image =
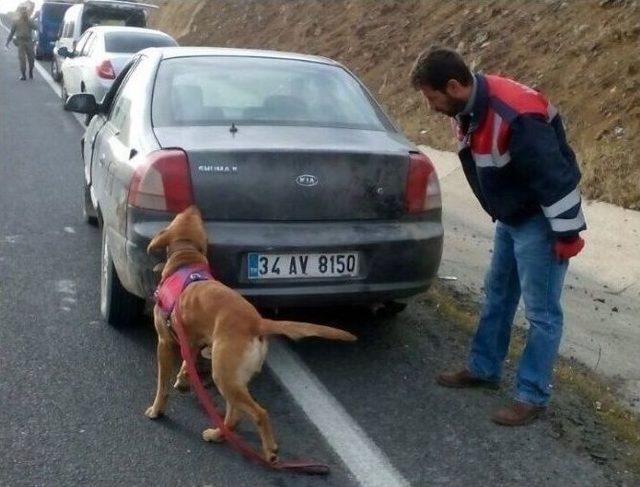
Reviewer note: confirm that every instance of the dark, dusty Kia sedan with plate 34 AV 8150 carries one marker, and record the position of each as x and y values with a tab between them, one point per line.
310	194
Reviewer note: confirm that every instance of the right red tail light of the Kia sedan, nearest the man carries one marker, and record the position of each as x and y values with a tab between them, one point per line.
423	189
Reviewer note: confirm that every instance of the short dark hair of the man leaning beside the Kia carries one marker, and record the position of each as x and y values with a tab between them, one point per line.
435	67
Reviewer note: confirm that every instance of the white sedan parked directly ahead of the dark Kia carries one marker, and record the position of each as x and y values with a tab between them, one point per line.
100	55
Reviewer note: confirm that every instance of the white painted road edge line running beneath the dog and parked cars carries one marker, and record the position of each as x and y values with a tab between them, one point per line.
361	456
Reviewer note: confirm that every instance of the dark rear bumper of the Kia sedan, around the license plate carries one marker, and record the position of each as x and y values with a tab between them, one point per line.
398	259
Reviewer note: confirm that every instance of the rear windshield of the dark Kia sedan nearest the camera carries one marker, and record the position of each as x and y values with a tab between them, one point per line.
218	90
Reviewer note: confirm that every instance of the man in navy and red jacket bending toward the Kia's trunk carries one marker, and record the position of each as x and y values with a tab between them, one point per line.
516	158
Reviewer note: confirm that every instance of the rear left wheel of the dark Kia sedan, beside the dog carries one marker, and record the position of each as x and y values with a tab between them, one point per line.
118	307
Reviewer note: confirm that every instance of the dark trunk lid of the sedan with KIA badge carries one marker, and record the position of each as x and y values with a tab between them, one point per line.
293	173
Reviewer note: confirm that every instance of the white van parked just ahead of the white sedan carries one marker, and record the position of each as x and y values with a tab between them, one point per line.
91	13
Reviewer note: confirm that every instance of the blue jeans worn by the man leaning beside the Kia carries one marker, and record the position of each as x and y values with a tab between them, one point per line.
523	263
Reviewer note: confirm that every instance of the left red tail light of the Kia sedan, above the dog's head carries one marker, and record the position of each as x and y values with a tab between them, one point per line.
162	182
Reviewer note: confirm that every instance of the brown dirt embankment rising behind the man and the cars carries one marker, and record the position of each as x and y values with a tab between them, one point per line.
583	54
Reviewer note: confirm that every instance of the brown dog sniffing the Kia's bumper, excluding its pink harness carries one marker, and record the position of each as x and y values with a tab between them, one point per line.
218	317
